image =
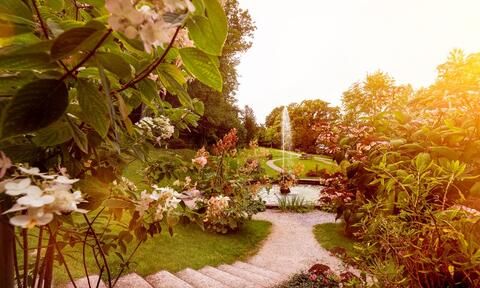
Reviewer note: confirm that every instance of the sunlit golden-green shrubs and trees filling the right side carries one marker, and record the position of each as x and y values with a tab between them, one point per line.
412	169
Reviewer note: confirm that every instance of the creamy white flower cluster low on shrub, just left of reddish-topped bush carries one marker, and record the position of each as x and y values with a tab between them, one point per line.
161	200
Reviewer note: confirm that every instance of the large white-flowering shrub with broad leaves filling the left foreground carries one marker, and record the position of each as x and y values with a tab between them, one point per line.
72	75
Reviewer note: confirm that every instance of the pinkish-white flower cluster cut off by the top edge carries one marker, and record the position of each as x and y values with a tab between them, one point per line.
153	22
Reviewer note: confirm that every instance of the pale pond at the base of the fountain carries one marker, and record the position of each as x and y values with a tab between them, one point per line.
311	193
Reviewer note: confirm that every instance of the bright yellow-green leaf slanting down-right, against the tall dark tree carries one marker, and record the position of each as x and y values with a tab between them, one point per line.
202	67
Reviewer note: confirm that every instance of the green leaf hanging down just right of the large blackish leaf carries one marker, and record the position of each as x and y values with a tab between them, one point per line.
95	107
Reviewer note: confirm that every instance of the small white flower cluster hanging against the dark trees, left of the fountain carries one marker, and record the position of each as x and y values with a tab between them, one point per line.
158	128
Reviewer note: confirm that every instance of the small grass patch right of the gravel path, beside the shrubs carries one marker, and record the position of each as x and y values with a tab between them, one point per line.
331	235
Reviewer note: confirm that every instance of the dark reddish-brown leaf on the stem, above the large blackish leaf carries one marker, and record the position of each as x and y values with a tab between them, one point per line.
71	41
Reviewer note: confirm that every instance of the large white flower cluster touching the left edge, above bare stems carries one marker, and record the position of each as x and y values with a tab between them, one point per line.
39	196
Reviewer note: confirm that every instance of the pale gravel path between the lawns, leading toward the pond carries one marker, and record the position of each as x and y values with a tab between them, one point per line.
291	247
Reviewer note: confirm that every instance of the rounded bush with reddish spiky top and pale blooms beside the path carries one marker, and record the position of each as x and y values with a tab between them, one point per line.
222	191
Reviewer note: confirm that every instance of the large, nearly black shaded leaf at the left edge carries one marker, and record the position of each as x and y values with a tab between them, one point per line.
35	106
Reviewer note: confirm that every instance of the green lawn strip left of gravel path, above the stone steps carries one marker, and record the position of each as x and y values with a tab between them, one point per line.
189	247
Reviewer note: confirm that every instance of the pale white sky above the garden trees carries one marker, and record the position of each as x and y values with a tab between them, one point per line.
316	49
